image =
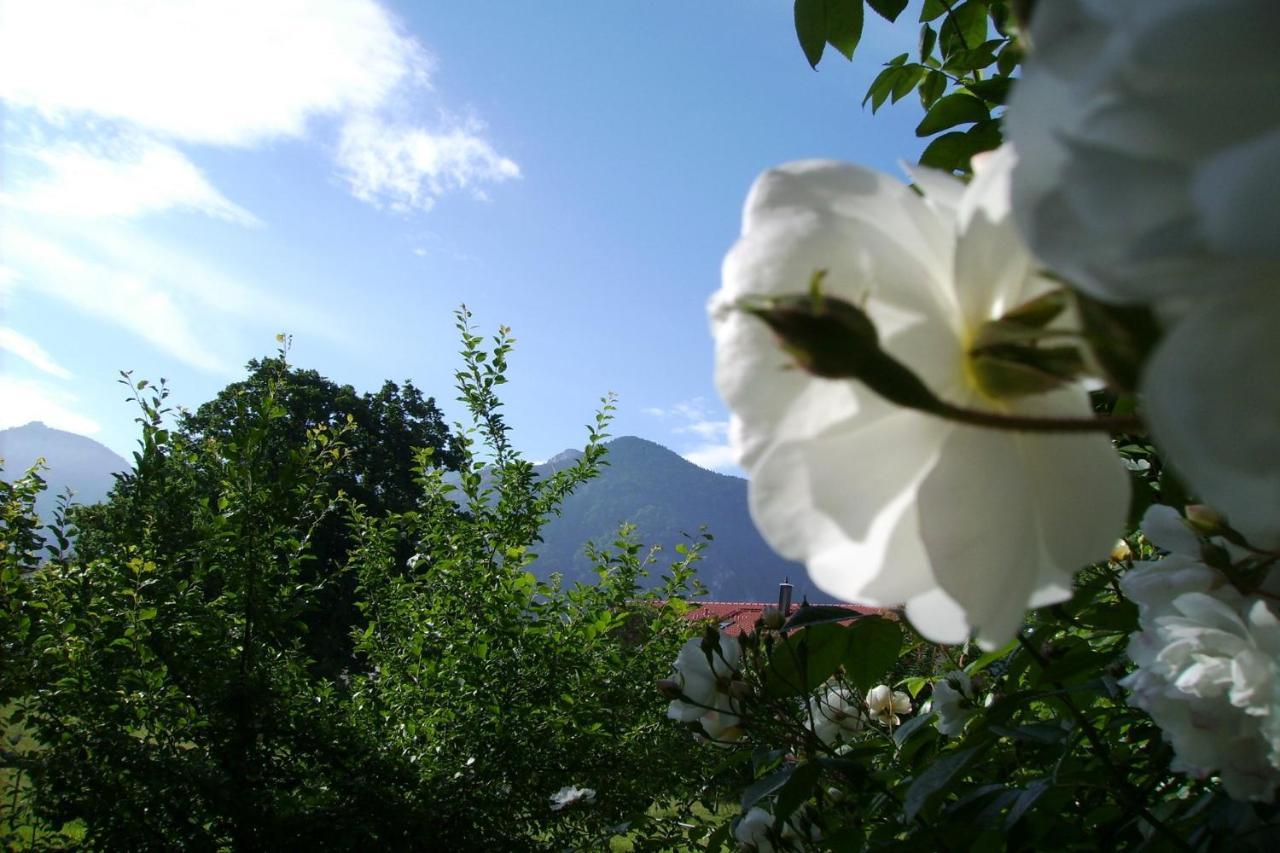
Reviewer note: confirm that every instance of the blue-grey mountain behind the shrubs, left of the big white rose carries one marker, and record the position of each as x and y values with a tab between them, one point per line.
668	498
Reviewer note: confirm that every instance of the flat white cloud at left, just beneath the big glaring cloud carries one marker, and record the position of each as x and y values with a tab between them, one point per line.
124	177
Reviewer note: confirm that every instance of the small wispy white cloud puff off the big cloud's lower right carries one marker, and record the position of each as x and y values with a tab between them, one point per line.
405	167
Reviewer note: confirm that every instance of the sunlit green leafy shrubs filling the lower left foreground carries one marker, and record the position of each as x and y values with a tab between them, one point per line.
172	697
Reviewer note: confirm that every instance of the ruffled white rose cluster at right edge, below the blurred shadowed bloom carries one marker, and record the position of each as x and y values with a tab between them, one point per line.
1208	659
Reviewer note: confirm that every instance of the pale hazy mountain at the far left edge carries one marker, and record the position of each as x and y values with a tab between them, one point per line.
72	460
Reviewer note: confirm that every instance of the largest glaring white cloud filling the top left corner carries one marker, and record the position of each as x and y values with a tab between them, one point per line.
218	72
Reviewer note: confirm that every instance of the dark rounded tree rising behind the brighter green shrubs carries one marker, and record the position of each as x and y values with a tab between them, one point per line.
368	441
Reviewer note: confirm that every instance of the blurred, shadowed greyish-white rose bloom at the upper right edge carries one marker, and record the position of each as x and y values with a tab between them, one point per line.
1150	145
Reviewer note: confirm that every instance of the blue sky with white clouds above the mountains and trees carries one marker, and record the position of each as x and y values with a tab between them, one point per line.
180	181
